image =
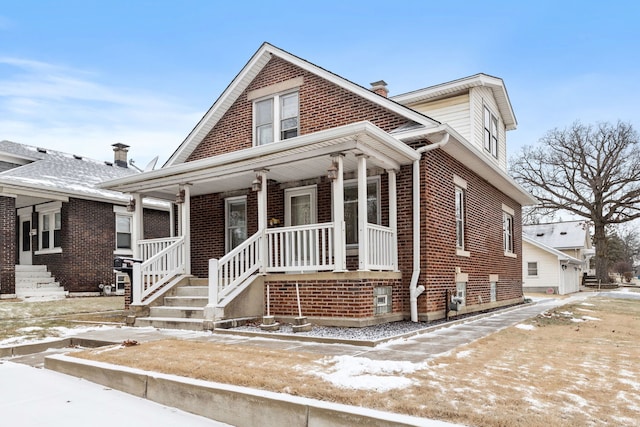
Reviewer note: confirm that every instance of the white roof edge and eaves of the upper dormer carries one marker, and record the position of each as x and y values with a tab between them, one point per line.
463	85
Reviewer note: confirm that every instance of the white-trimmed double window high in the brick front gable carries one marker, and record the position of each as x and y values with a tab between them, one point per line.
276	118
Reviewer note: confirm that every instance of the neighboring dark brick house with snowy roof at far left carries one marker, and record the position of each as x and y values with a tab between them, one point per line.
60	232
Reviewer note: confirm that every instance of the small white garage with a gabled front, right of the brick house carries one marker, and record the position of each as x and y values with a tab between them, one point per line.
547	270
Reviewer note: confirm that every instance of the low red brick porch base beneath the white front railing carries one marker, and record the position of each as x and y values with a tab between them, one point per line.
329	298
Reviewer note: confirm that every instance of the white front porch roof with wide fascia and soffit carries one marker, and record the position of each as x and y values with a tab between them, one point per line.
303	157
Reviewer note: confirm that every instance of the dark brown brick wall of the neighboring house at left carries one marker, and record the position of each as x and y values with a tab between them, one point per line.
88	243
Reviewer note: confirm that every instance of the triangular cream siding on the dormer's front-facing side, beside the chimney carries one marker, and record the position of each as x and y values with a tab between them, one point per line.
453	111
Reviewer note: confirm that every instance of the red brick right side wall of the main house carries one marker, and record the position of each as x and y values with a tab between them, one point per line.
483	235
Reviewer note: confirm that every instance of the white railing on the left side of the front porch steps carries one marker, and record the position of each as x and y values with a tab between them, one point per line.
166	262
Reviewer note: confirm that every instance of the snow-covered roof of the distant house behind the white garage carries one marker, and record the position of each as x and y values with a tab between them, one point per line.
560	235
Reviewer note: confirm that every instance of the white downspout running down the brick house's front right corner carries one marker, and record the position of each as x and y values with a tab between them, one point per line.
414	290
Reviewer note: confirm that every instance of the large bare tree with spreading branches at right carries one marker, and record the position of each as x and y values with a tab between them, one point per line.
589	171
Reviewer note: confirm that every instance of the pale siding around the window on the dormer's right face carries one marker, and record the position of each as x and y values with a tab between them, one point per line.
479	97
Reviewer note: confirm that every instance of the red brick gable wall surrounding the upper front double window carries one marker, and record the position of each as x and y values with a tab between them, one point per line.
323	105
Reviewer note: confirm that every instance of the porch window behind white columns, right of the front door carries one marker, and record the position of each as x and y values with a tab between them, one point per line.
351	207
